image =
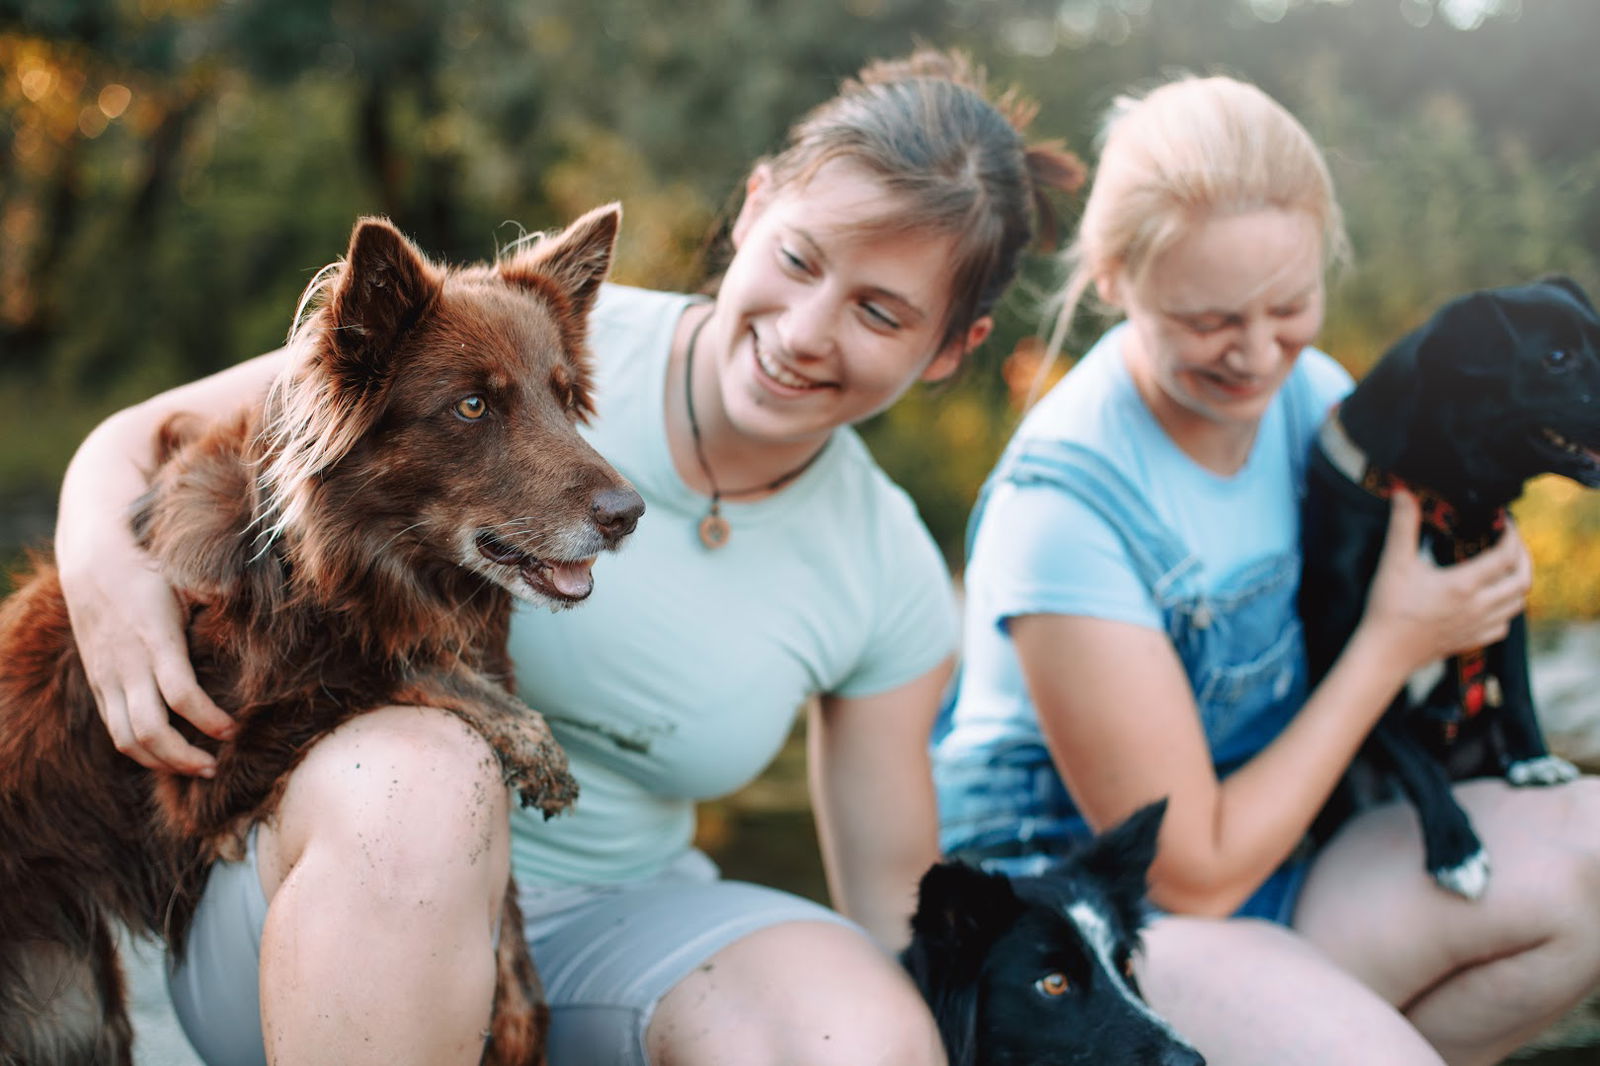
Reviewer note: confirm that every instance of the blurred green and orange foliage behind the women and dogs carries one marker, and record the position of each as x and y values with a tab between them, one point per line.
174	172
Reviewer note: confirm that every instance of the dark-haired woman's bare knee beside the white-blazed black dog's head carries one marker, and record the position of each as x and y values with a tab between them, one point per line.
798	993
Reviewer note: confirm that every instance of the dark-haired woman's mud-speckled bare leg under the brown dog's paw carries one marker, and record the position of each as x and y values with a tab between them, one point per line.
385	870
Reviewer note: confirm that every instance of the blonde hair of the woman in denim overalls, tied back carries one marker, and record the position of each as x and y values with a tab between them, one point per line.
1186	151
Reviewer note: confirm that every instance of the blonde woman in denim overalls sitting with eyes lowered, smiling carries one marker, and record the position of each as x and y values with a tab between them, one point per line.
1132	633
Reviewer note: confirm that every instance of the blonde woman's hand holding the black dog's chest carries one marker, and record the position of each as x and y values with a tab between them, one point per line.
1428	612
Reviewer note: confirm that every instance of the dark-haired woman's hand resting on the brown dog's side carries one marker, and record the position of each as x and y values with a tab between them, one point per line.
130	636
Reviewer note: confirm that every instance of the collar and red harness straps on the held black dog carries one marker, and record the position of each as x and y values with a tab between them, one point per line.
1476	684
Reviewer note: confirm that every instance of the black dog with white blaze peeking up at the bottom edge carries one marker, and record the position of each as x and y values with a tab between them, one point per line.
1039	971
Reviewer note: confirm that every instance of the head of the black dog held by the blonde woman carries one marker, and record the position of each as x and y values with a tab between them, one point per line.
1497	388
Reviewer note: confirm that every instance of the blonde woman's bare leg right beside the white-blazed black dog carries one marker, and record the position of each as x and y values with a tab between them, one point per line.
1250	993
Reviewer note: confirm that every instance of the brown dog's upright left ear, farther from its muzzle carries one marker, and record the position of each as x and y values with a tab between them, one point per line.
383	291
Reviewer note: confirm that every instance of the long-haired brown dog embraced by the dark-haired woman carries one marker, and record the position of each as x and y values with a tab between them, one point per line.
351	543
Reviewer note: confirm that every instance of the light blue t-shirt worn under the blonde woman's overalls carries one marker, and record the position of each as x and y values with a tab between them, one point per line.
1041	551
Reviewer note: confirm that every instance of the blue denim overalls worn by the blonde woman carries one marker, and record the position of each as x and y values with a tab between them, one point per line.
1006	806
